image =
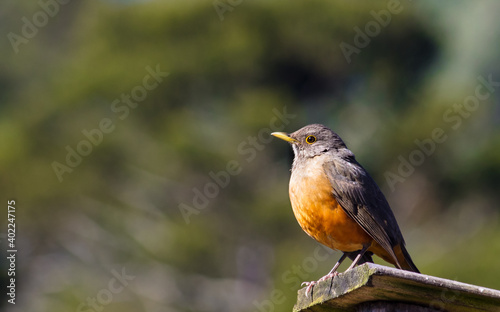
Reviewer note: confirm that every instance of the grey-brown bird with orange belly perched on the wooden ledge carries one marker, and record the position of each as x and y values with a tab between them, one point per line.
337	203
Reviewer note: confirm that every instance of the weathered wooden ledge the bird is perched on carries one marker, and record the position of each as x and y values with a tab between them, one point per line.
372	287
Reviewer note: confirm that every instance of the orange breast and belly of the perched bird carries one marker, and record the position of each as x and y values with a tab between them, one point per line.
319	214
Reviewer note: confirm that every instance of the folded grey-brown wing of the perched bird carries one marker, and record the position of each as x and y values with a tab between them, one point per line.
360	197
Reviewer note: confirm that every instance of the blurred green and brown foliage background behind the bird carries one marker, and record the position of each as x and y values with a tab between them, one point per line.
127	207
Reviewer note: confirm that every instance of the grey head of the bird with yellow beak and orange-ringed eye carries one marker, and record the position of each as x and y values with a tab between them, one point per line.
314	140
